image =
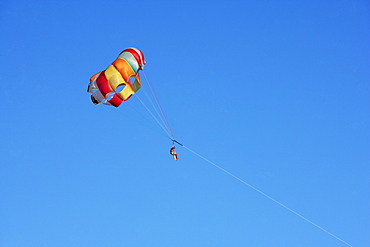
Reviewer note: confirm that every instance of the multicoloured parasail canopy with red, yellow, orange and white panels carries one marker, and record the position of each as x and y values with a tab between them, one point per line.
119	81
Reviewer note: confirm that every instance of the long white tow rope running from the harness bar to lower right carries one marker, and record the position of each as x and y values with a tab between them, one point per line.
267	196
